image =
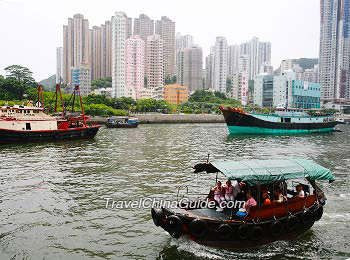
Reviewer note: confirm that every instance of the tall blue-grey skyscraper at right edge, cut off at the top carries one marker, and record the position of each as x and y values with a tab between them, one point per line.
334	61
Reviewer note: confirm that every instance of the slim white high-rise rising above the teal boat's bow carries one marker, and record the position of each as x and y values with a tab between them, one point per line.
220	64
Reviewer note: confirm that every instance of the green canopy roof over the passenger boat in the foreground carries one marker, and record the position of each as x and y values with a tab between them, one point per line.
267	171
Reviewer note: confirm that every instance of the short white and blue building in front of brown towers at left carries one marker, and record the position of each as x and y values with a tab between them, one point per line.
81	76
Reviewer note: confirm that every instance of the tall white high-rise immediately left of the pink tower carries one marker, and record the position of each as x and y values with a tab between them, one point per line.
119	36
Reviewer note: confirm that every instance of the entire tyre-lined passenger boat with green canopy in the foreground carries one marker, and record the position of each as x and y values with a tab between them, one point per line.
256	225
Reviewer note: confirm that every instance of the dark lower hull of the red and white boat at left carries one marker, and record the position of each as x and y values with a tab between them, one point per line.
12	136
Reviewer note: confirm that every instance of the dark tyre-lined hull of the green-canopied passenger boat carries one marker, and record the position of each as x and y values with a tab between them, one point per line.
256	230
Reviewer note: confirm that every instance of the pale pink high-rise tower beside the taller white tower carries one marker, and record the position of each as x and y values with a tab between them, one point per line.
135	63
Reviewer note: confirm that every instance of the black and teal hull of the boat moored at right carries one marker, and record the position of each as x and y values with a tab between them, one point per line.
245	124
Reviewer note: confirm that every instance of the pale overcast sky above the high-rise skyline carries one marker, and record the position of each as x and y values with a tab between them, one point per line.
32	29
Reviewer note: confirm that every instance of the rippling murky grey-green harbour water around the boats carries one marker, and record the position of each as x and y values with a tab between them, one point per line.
53	194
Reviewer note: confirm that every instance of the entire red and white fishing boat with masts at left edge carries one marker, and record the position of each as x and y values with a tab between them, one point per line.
21	124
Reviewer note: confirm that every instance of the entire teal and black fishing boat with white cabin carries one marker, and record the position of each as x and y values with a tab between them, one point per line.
282	121
